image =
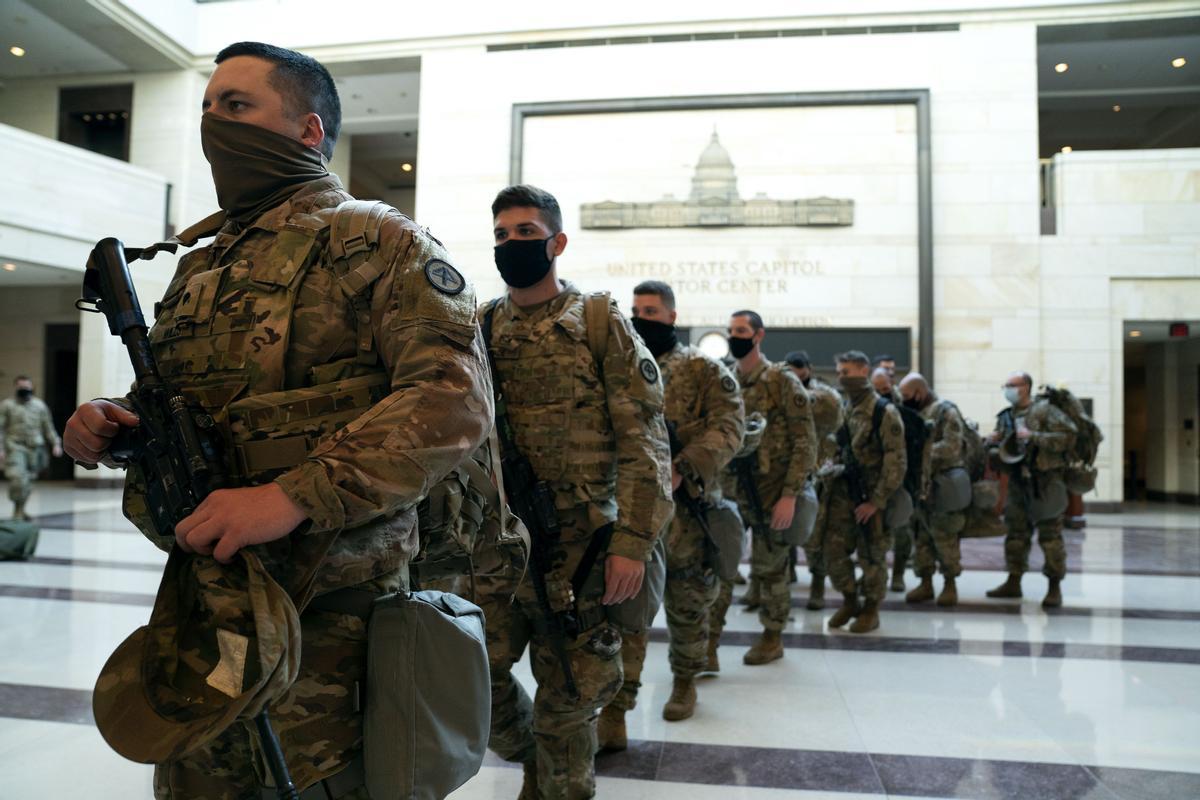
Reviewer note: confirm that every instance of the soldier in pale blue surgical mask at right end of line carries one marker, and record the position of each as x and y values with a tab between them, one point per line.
1043	436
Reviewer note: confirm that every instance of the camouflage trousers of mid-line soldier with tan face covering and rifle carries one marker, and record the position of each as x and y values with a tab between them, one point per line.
844	538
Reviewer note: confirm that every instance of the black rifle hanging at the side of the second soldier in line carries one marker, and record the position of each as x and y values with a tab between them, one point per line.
533	502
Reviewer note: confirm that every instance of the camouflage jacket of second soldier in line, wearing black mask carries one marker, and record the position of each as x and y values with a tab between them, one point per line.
595	432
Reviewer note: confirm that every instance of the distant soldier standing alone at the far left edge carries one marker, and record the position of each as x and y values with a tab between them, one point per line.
26	431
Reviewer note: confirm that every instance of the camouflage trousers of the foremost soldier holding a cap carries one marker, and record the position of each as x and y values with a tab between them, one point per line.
316	720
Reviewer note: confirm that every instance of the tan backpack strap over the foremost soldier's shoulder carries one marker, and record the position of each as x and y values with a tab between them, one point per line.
355	251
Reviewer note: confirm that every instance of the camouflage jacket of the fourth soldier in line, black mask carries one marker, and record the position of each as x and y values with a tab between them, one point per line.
789	450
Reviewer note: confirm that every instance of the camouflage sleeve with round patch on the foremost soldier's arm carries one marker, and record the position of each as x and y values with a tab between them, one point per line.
441	406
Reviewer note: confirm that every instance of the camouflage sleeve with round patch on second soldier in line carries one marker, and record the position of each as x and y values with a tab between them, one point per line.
644	455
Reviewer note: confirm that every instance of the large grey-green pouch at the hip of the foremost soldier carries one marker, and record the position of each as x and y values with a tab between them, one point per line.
429	701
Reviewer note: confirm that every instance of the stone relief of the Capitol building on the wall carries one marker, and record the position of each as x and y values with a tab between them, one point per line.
715	202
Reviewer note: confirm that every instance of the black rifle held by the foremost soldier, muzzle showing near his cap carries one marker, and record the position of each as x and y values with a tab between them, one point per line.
176	446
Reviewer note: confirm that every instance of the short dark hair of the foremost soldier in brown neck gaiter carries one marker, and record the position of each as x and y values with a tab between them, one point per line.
304	83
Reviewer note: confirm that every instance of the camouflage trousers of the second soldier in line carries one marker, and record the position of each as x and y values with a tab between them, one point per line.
554	730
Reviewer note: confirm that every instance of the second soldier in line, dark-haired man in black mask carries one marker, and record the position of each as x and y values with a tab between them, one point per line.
585	400
